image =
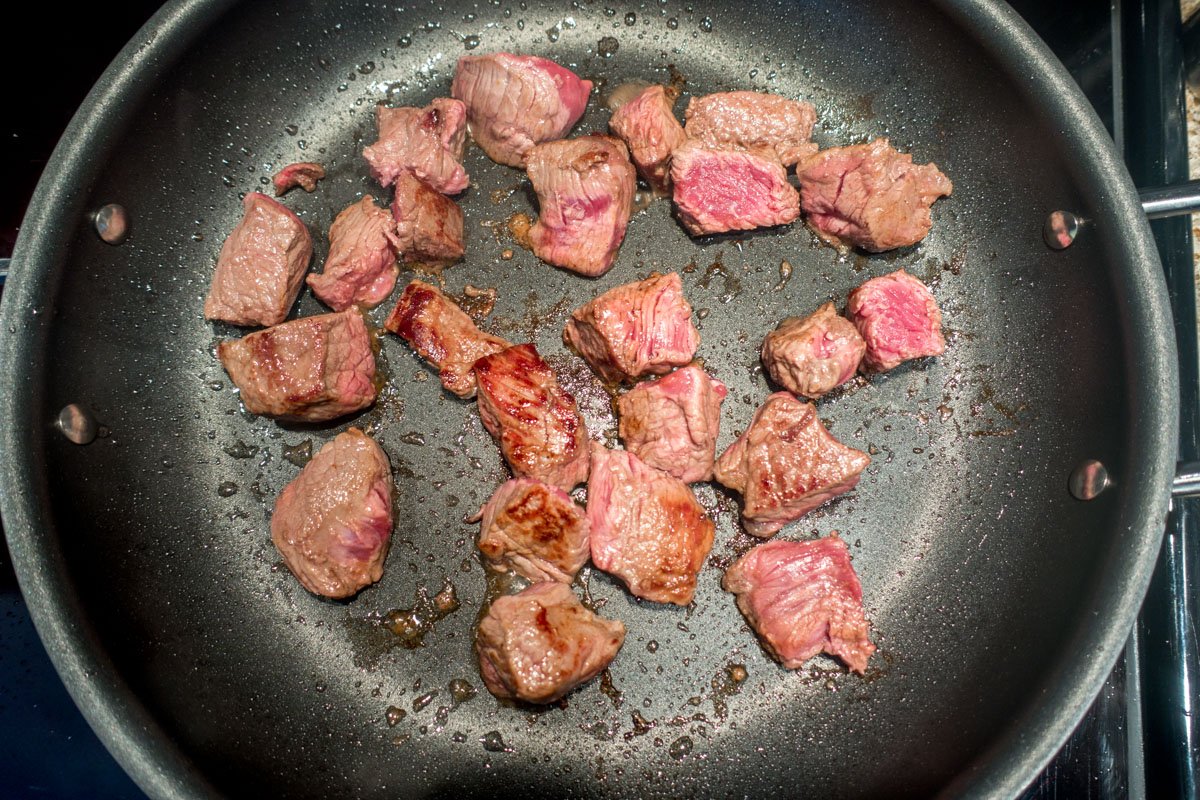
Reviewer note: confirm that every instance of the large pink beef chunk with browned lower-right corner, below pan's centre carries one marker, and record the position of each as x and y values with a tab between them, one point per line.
647	527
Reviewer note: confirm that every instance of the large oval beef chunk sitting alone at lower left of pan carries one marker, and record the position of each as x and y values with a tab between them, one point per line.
332	525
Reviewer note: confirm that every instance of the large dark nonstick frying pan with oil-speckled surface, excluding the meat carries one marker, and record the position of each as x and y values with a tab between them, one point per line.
999	601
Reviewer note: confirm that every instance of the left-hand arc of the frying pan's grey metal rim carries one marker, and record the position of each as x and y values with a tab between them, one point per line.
128	731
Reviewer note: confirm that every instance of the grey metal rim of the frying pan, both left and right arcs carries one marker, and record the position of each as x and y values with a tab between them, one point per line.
139	743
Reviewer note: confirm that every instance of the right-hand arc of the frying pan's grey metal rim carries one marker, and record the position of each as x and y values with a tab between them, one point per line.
1017	759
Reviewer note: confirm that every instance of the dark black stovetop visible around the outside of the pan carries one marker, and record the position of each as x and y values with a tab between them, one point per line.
1137	738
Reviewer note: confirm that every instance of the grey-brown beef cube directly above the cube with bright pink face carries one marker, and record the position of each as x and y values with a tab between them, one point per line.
752	119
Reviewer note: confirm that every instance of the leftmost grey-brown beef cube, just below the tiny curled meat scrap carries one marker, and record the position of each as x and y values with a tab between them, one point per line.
262	266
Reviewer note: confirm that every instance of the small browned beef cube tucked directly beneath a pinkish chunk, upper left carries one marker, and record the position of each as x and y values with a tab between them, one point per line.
429	225
